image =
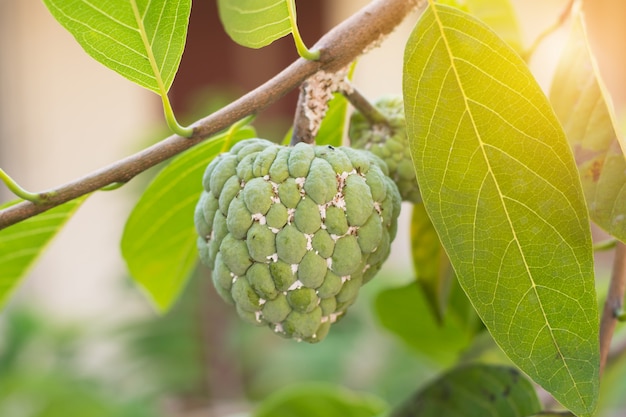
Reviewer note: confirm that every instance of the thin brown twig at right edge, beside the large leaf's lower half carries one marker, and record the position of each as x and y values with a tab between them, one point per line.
613	304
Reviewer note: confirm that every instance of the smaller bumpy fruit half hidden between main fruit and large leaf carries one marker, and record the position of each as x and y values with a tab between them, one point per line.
389	142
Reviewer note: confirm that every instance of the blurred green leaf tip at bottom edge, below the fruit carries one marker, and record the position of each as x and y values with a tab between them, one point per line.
317	399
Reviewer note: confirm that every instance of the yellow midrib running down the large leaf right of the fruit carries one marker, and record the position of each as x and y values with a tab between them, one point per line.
500	195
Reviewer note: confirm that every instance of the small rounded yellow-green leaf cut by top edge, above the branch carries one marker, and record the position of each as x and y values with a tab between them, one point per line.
255	23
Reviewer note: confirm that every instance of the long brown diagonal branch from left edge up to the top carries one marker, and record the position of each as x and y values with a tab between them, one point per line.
338	48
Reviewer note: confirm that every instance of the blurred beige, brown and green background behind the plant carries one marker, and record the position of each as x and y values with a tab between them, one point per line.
77	334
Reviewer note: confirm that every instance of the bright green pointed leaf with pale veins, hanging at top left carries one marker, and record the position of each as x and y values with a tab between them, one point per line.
140	39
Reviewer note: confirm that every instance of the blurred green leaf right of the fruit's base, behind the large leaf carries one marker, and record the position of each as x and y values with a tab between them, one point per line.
405	311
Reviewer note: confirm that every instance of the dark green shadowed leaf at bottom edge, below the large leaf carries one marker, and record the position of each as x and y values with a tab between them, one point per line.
474	390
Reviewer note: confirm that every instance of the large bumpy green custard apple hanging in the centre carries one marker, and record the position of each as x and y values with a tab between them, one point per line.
291	233
